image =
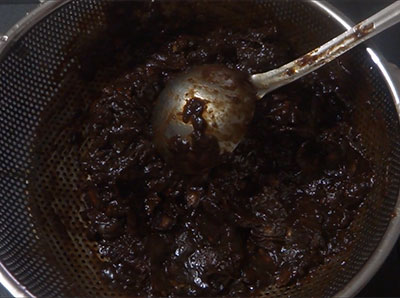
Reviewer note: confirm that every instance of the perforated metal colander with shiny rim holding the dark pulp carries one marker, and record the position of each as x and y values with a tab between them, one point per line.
43	246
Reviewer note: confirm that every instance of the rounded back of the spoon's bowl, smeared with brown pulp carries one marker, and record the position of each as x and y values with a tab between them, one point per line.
228	100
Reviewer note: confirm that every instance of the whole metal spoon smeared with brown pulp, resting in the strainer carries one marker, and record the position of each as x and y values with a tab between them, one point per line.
229	97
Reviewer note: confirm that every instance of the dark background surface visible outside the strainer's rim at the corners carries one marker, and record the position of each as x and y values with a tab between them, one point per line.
386	282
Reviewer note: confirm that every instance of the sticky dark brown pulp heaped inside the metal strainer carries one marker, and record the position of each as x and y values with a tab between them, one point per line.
269	213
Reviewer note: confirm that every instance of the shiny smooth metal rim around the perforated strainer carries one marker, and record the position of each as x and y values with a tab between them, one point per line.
392	232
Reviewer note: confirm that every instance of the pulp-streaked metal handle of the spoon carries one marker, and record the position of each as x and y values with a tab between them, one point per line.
271	80
